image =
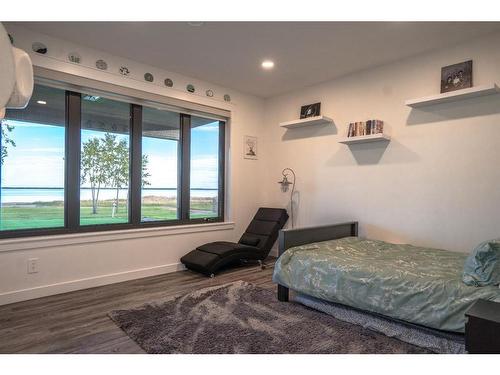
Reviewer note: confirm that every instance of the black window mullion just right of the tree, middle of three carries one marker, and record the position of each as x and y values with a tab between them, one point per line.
135	164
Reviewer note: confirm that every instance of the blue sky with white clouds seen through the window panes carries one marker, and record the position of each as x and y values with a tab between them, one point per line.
38	158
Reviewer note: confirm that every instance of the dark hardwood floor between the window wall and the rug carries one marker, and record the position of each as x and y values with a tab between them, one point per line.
77	322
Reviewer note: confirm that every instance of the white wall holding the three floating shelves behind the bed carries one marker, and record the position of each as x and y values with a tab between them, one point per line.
436	183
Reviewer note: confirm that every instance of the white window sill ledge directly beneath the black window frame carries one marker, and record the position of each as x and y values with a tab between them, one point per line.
30	243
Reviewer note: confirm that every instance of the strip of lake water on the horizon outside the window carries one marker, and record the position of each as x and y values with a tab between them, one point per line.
30	195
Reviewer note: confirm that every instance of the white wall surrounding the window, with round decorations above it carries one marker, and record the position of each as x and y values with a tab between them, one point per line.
78	261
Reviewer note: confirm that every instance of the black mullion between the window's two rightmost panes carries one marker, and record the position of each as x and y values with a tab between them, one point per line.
185	170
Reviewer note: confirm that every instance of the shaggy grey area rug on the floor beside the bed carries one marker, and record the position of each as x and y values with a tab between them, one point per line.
242	318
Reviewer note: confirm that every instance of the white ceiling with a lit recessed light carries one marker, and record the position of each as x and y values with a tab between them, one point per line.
230	53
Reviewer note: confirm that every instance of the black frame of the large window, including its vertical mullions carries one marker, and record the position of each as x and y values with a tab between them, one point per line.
72	172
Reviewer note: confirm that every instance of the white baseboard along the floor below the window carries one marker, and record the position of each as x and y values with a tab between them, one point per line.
91	282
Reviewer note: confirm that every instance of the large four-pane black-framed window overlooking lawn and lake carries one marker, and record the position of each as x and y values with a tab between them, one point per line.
75	162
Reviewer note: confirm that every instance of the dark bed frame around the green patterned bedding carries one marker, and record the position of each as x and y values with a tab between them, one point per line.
295	237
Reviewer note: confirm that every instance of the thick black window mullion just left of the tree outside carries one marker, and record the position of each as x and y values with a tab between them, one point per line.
72	166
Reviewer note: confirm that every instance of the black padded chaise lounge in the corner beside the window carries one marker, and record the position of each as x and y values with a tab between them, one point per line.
254	245
